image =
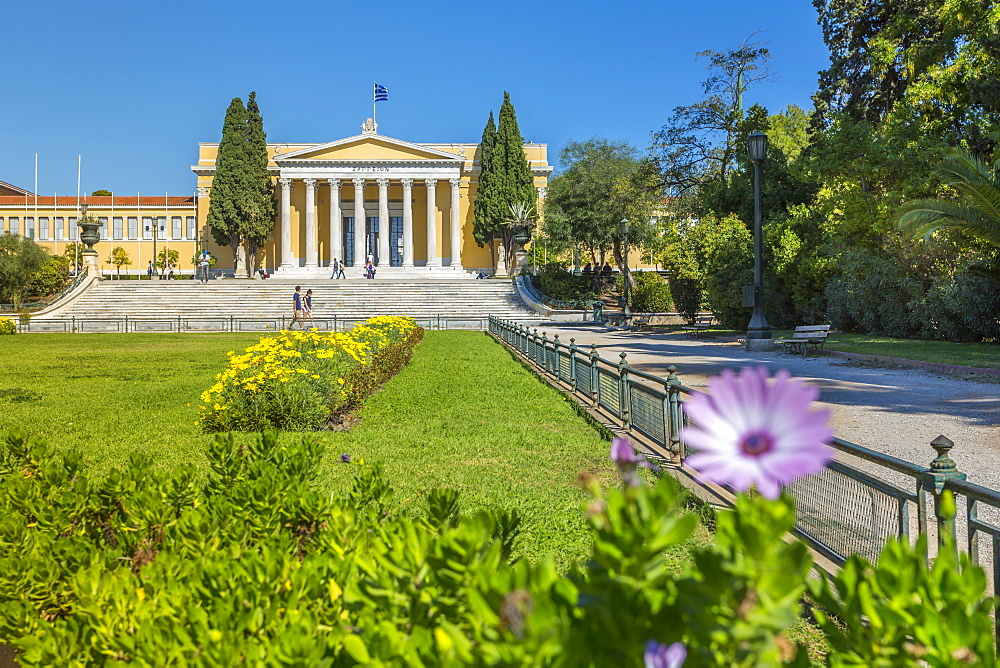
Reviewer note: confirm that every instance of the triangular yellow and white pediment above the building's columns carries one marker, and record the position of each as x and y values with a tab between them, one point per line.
367	148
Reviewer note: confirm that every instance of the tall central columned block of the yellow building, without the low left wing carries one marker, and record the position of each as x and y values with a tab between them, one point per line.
408	206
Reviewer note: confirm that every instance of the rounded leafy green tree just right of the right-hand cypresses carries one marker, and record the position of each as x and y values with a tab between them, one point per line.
604	182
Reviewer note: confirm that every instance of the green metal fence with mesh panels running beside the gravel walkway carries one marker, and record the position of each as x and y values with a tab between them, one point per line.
859	502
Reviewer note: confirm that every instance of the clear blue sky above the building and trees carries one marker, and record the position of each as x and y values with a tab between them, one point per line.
134	86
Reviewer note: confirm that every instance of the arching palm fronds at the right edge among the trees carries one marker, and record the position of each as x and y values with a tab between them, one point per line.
976	211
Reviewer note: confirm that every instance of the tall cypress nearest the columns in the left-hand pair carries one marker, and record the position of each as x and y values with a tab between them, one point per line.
261	207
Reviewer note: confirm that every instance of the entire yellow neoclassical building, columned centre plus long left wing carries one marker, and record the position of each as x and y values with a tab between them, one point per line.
408	205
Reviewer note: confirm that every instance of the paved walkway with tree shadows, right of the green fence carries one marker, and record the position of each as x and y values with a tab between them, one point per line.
894	411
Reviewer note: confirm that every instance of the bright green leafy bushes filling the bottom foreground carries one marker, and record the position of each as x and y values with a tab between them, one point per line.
258	564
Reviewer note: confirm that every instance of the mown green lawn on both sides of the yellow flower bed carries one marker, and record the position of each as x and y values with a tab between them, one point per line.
463	414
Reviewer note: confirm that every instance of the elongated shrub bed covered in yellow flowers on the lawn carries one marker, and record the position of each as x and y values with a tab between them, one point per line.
298	380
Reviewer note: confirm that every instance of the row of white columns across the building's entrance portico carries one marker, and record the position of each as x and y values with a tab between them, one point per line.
288	259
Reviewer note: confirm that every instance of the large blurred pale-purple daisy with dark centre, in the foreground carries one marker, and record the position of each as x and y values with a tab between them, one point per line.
754	433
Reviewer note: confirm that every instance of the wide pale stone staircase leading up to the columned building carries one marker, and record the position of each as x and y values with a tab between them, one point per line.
237	304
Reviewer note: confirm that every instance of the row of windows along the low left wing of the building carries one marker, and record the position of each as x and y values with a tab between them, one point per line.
118	230
